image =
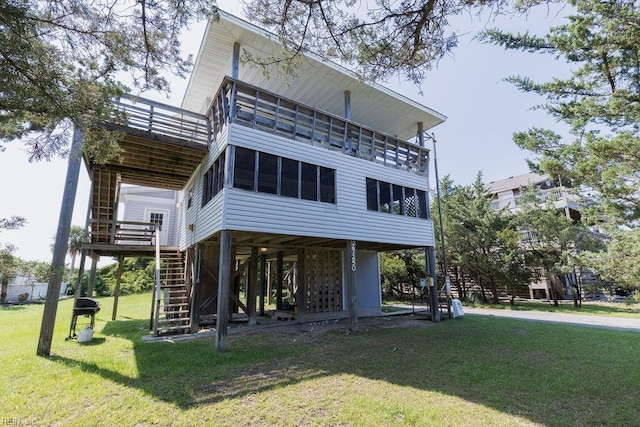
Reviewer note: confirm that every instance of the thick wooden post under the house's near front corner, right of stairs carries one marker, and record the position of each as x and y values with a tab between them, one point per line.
224	284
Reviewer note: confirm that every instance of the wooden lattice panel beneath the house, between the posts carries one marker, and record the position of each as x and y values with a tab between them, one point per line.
323	280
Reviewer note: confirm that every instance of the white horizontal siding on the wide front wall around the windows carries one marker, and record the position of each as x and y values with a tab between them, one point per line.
347	219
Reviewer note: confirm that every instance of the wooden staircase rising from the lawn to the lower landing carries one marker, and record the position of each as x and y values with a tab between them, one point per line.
172	305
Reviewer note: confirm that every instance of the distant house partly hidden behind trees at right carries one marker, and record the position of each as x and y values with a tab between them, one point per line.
506	193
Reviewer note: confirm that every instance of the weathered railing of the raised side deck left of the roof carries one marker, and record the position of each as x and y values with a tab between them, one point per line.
151	116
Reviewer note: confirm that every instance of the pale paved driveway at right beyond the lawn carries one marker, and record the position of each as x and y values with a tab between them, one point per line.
620	323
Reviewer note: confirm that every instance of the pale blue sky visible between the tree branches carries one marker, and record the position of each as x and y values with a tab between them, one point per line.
483	112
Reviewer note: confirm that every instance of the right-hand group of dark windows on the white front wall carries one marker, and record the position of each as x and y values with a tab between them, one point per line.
393	198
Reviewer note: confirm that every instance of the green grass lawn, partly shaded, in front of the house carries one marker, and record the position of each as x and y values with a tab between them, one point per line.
398	371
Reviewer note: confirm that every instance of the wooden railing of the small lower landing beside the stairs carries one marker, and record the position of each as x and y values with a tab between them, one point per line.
122	232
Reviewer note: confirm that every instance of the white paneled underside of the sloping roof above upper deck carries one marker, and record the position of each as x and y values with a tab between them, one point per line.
318	84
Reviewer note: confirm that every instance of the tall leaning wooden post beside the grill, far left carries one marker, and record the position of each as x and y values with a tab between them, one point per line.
60	246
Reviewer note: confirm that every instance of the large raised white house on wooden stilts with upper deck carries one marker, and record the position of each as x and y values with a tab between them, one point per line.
320	170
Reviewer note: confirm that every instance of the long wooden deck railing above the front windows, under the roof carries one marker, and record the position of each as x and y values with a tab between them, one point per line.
241	103
